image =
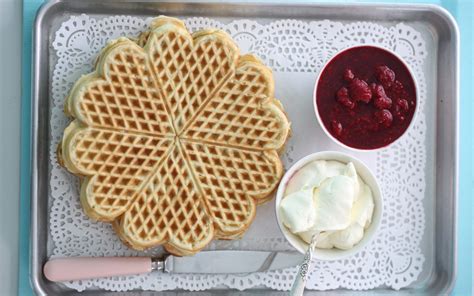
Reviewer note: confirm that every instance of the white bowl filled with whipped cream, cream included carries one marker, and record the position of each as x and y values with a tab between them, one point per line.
331	194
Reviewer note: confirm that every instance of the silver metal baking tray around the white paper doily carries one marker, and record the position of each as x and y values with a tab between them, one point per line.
442	77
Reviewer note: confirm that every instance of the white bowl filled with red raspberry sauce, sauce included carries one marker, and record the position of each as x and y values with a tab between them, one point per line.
365	97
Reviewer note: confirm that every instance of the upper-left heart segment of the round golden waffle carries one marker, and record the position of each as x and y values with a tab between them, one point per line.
130	99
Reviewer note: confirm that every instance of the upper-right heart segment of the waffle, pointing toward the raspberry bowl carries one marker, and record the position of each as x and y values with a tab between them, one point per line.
244	112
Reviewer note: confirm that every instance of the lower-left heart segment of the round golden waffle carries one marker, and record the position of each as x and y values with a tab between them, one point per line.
115	165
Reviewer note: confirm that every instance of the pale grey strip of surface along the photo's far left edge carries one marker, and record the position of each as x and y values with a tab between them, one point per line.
10	91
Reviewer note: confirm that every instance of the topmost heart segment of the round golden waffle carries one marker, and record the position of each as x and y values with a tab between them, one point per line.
190	68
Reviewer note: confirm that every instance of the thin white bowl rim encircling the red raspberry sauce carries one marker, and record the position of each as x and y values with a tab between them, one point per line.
315	93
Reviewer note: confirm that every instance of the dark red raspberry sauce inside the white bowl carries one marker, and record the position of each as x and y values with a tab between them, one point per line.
360	127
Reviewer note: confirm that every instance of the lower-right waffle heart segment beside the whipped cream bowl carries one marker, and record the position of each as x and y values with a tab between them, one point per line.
232	181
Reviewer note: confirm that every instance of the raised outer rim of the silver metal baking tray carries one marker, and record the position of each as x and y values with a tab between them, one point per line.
38	282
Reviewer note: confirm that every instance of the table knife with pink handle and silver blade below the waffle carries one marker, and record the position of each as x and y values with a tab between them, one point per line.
220	262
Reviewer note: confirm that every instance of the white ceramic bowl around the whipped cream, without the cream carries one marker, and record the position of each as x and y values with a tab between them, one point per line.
366	175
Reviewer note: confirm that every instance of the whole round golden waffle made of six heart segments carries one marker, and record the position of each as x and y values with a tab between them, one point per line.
175	137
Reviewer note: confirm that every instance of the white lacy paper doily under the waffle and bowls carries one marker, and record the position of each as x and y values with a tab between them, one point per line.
292	49
